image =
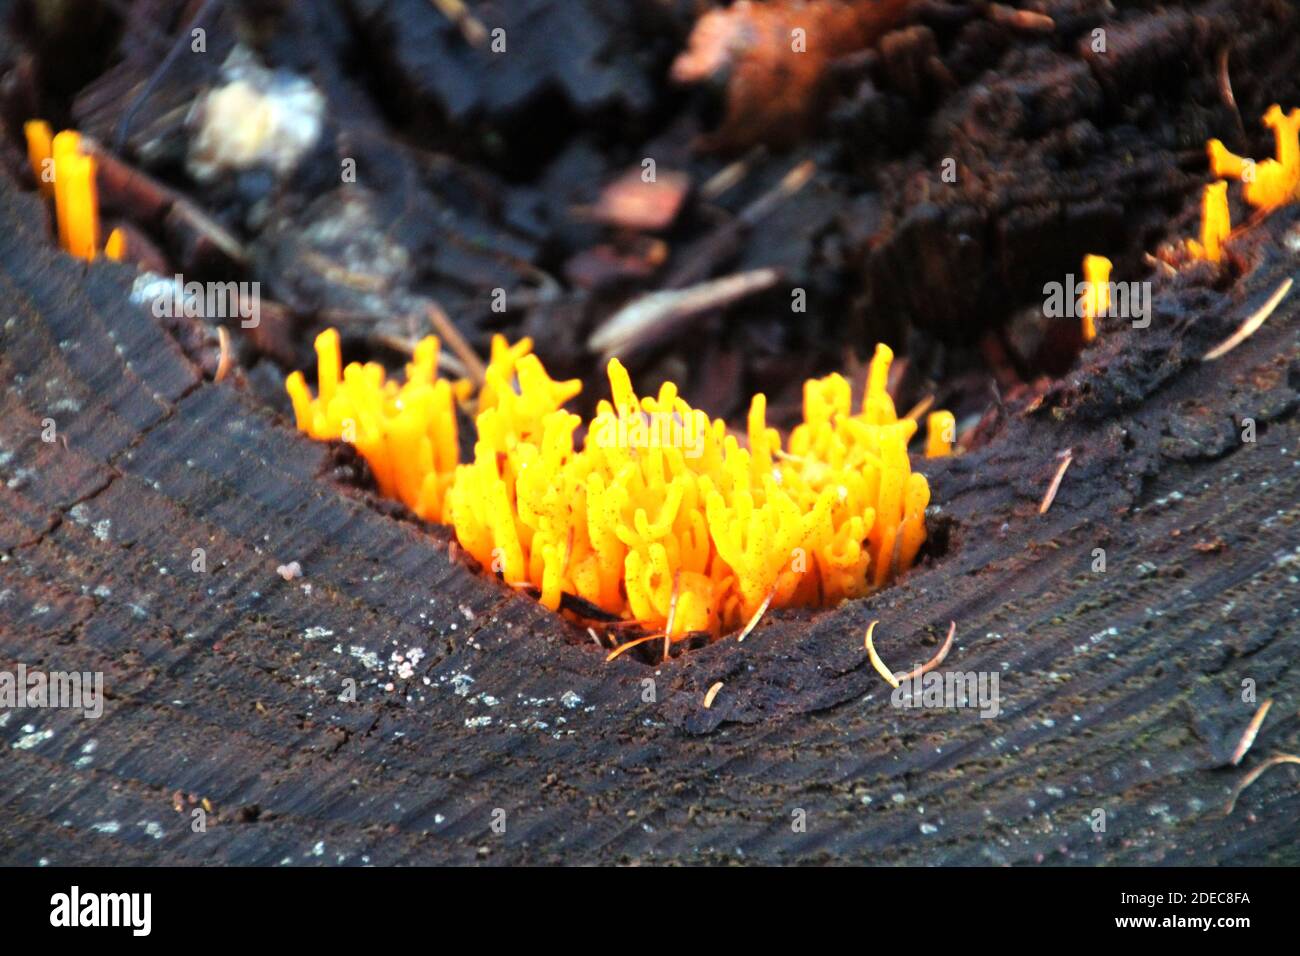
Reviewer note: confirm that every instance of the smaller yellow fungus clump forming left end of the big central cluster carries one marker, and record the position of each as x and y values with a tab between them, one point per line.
406	432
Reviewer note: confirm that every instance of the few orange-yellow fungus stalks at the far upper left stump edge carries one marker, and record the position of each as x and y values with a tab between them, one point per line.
68	175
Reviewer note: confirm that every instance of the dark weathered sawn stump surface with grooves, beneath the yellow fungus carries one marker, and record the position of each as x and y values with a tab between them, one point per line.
1121	690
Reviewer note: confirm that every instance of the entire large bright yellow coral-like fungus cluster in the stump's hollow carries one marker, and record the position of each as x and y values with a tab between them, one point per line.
661	517
